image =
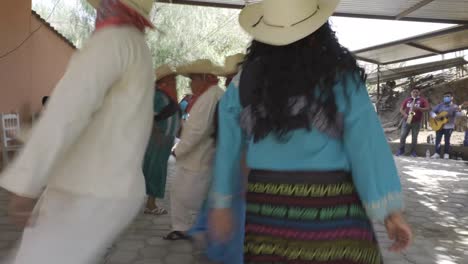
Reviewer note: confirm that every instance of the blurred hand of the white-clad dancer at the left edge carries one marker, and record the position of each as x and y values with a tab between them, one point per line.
20	209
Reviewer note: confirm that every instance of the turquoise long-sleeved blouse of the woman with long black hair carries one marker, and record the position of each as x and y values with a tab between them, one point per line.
363	150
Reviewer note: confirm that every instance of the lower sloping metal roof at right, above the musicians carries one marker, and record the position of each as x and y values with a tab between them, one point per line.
438	42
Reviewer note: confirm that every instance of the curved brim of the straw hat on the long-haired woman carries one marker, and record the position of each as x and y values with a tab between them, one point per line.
276	36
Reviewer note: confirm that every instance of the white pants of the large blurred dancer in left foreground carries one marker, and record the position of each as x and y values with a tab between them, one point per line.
74	229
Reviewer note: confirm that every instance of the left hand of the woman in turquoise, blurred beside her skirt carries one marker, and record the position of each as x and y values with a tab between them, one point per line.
221	224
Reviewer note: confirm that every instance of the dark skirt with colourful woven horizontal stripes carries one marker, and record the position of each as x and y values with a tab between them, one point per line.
307	217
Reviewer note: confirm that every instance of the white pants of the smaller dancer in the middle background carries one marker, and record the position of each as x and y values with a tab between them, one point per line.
188	192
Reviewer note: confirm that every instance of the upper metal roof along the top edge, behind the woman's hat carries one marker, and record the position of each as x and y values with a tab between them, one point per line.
444	11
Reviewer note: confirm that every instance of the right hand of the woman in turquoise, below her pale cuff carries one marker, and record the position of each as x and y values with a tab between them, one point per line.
399	231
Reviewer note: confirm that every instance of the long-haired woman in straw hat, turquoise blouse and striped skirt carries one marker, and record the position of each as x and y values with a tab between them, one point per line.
301	109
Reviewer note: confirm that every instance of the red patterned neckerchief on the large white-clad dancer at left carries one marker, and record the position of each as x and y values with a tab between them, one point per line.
113	12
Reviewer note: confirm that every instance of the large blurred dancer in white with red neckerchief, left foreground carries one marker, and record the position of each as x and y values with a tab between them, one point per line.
83	159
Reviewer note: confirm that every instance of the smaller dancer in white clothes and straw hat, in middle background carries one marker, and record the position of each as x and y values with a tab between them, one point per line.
195	151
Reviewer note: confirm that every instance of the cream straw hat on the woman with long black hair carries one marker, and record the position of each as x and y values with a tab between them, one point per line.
280	22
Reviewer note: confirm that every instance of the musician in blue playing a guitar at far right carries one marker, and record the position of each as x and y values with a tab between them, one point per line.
453	111
